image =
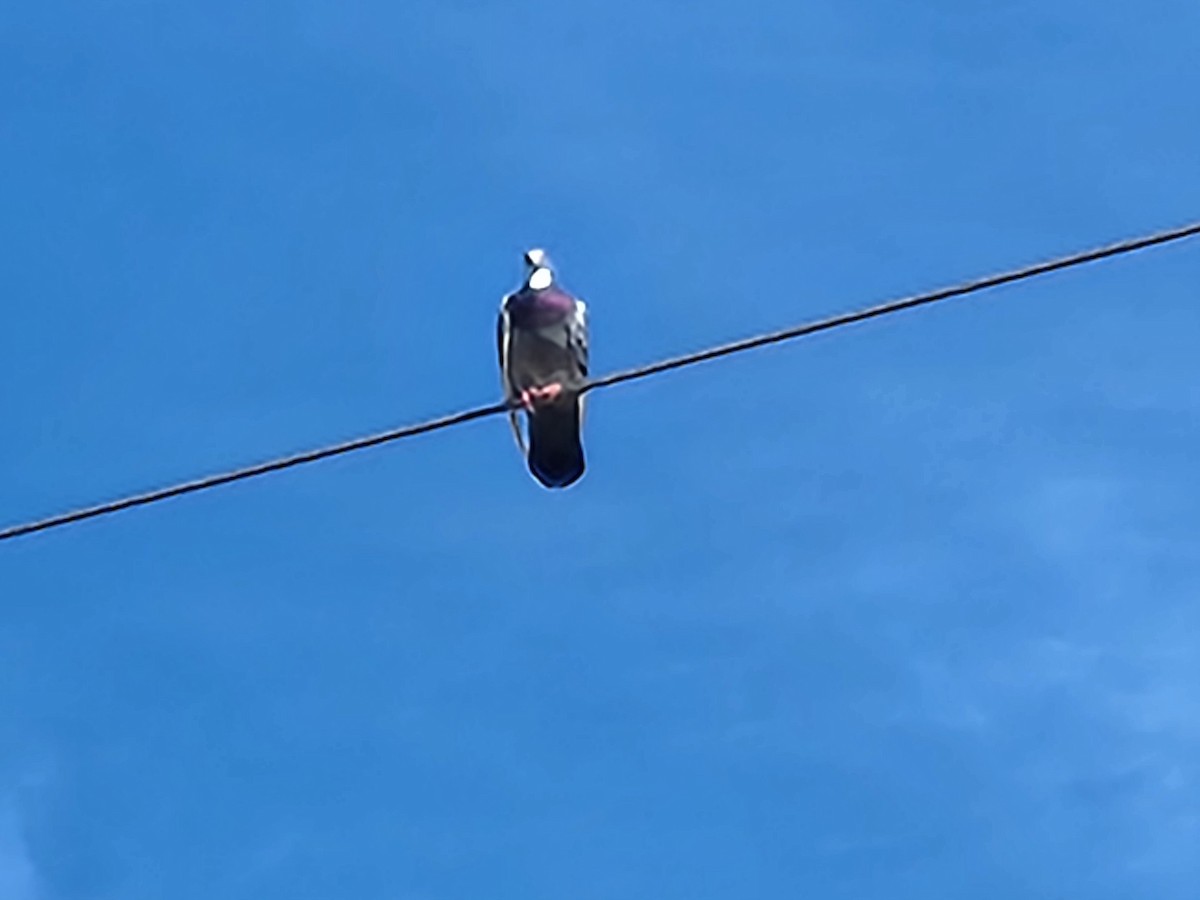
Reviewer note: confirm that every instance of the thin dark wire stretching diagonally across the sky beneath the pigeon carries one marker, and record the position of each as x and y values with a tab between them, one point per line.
609	381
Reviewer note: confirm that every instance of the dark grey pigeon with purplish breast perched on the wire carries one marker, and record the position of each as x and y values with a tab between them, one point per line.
543	337
